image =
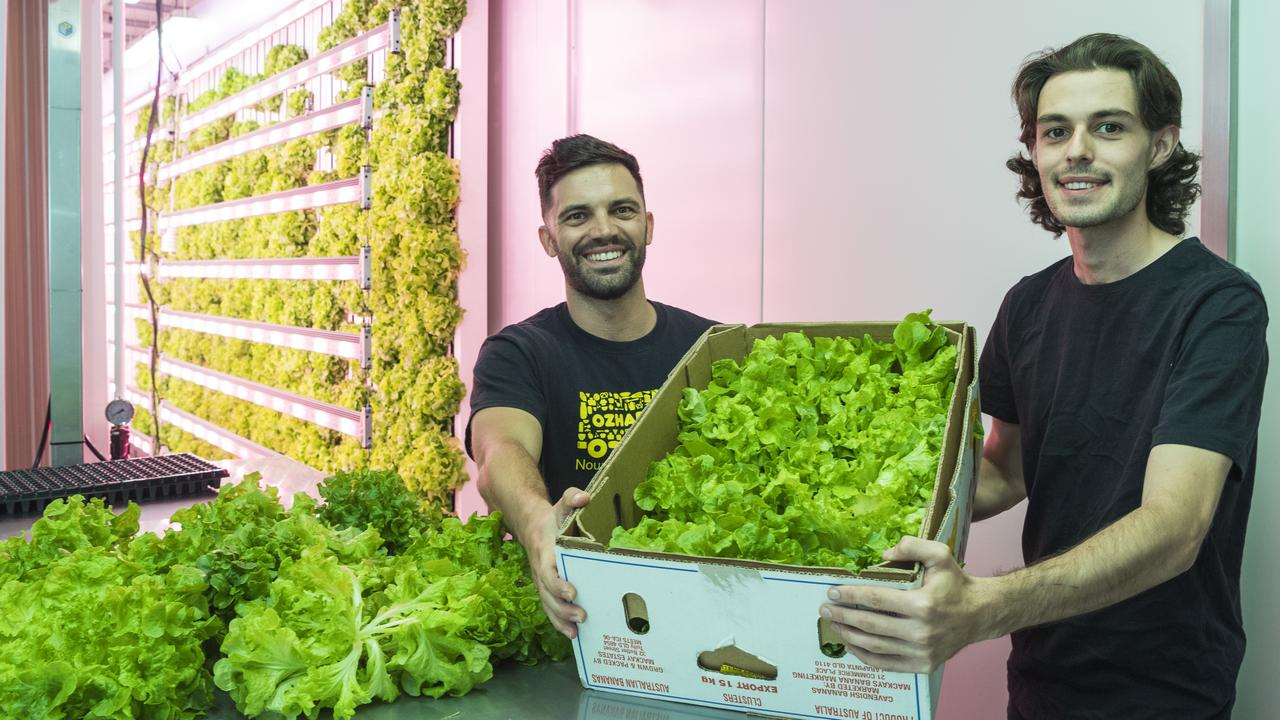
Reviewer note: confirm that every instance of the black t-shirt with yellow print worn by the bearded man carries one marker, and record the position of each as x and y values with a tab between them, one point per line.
584	390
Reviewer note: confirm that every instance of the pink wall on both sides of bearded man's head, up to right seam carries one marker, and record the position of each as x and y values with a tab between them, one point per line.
701	130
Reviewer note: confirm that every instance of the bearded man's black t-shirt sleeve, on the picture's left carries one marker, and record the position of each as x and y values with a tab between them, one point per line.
505	377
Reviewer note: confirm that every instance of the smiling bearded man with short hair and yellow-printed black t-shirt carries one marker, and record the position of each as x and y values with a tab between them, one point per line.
555	394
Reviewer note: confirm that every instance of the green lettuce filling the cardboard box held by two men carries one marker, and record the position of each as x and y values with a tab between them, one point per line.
816	452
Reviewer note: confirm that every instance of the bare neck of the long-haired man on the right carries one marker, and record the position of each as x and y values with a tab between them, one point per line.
1110	253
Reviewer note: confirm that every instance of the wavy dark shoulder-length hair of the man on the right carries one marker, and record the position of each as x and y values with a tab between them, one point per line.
1172	189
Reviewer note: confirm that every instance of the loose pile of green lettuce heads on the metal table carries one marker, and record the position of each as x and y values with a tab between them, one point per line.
330	605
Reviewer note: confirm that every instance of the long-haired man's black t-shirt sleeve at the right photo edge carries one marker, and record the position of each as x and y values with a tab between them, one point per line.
1214	399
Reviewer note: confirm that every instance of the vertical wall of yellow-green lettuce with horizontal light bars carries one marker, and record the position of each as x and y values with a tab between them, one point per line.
271	340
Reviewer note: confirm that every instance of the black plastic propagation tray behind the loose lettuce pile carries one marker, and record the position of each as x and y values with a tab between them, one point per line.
24	493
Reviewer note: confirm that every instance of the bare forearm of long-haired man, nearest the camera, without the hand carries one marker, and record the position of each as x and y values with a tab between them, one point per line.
1130	557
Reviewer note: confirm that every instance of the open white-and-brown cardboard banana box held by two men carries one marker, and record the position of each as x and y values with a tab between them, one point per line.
737	634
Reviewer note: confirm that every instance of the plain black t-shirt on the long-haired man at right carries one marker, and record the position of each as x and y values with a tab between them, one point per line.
1095	377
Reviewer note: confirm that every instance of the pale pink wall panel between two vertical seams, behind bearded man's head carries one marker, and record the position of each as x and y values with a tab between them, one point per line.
685	98
